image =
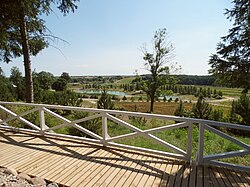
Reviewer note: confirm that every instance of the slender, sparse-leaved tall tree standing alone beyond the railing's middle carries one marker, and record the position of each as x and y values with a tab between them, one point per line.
155	64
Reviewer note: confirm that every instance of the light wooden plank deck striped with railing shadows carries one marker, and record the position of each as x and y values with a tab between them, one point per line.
76	163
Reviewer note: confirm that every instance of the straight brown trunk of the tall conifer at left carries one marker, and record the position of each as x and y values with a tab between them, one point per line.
26	57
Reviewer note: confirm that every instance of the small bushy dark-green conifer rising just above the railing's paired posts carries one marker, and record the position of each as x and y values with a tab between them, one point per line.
201	109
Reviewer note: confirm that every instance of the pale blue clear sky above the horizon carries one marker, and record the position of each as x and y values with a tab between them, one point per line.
104	37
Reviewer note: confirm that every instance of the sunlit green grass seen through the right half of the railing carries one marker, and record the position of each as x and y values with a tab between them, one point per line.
213	144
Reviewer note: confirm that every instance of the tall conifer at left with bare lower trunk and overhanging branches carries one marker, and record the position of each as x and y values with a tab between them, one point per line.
23	32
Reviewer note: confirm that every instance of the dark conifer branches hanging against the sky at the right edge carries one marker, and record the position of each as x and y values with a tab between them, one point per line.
231	63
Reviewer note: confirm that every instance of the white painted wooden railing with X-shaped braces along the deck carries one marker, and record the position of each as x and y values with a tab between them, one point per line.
110	115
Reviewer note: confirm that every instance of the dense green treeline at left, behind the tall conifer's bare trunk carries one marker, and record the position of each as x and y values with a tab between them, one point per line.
47	88
